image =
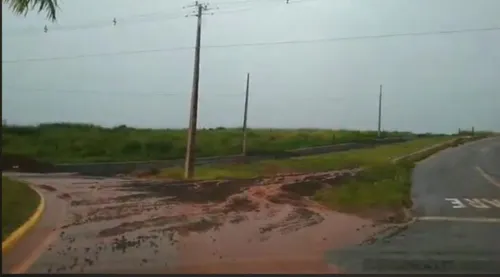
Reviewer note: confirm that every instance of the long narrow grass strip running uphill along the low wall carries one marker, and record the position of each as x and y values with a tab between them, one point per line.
341	160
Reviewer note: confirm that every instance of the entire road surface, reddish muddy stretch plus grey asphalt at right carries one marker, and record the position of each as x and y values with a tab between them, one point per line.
113	225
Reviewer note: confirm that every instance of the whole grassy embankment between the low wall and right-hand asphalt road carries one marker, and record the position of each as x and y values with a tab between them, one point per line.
383	185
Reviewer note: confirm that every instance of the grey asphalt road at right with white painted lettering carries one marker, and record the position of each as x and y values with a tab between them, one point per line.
456	198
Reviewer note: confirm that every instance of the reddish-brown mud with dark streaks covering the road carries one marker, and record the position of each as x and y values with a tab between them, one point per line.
239	226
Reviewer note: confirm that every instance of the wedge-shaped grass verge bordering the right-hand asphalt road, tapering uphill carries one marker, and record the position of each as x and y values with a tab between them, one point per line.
383	187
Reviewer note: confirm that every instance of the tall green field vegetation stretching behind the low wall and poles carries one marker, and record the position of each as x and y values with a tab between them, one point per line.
63	142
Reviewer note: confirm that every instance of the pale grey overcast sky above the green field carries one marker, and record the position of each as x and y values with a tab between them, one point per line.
312	64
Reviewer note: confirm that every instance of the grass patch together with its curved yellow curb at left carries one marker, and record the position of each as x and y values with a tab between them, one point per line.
22	208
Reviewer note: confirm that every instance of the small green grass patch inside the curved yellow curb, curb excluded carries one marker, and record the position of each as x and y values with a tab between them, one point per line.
19	202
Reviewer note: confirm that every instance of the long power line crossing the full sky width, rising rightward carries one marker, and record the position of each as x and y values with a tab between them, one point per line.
307	41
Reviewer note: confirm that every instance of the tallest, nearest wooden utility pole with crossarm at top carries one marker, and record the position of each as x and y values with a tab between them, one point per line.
193	116
